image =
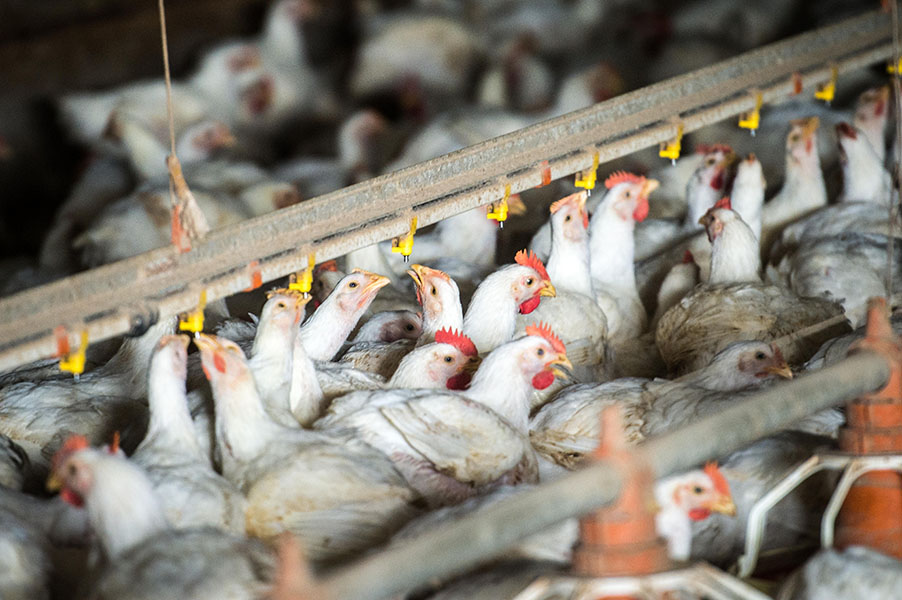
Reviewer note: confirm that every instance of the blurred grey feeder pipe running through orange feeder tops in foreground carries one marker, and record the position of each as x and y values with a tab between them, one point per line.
456	547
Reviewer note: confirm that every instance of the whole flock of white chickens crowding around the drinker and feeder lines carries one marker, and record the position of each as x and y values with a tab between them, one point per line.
414	393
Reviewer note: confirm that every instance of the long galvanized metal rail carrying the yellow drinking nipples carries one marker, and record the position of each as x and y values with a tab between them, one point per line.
115	298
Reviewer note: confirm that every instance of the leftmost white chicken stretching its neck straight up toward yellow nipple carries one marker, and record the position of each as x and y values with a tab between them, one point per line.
190	492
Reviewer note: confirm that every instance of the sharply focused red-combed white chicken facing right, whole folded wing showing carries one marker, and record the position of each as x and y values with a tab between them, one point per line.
450	446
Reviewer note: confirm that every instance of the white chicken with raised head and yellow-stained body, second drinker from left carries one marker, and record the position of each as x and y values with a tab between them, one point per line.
337	494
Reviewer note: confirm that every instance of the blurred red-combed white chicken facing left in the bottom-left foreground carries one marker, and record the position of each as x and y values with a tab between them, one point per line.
144	557
